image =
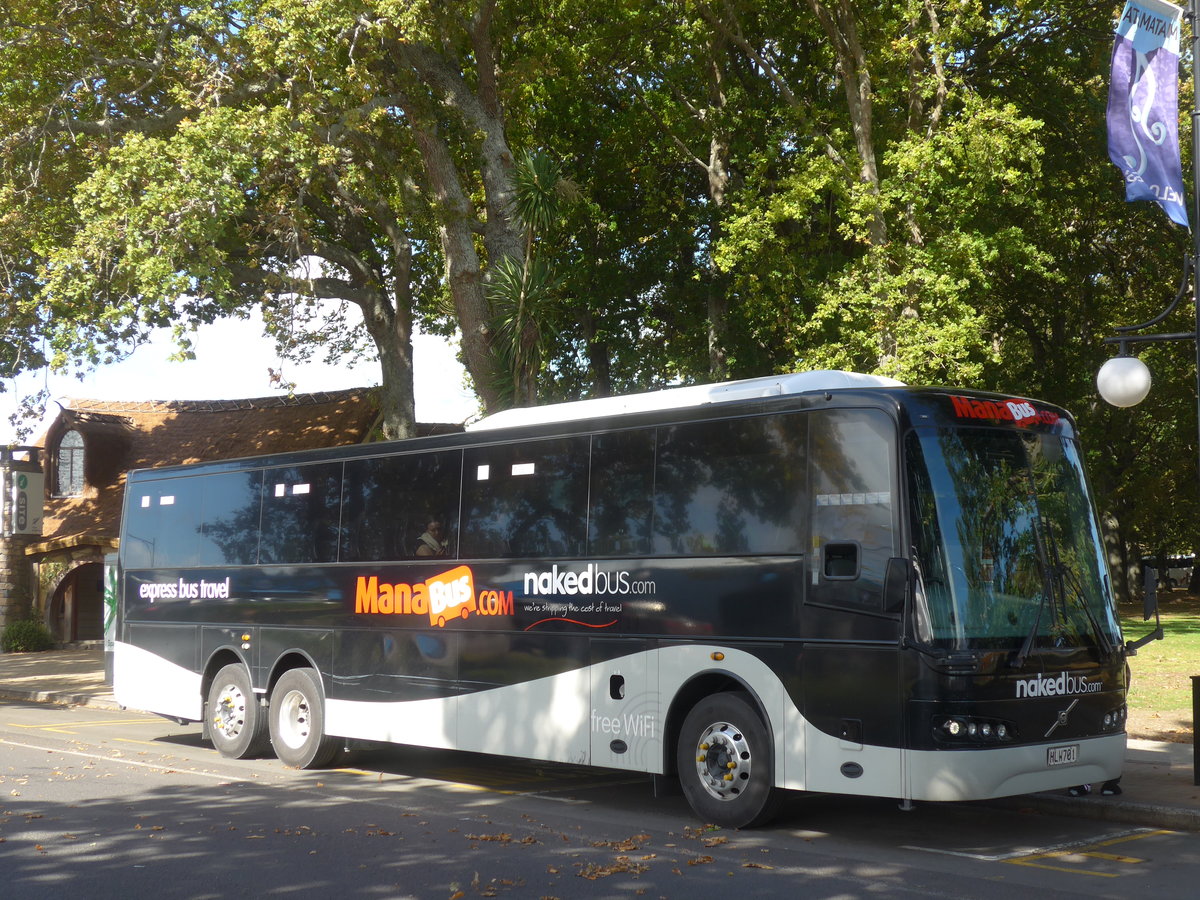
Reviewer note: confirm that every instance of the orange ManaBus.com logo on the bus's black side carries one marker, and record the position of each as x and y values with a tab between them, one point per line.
446	597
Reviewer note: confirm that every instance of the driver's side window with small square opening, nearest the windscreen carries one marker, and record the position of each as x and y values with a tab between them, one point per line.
853	454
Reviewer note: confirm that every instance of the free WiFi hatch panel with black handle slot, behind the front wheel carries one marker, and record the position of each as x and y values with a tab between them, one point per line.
626	719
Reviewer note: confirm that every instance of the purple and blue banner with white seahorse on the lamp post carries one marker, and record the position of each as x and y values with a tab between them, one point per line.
1143	116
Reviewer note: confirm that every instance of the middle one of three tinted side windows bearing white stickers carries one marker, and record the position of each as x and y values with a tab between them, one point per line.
302	514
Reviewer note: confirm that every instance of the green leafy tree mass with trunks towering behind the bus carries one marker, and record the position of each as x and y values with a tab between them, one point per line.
598	197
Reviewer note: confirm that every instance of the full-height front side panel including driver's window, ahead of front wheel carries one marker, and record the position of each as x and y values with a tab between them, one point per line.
851	661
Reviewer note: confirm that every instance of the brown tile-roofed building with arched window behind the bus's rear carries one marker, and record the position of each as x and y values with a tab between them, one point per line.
59	575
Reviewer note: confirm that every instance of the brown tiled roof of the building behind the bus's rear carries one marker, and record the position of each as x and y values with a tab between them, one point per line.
122	436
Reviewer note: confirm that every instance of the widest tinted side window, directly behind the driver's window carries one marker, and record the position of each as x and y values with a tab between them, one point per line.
730	488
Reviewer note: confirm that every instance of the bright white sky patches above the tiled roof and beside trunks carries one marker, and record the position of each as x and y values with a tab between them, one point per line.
232	362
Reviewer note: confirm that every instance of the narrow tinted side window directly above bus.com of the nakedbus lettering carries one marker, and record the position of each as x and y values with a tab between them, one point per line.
622	490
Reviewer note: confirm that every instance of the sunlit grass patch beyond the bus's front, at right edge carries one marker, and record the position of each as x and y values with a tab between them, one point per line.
1161	689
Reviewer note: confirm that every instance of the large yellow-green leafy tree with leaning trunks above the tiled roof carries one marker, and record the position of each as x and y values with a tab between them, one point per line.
199	160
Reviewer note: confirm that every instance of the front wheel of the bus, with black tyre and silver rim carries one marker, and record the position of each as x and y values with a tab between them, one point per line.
725	763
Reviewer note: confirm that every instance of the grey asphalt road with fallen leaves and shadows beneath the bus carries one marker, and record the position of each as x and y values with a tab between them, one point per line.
107	805
